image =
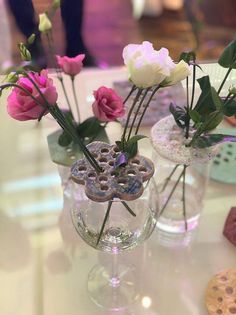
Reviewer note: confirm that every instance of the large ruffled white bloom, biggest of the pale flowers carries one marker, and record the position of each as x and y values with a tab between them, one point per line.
147	67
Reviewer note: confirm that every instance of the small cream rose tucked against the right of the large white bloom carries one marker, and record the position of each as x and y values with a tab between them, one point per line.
178	73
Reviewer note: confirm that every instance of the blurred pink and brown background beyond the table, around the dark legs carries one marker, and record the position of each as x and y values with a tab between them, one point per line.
205	26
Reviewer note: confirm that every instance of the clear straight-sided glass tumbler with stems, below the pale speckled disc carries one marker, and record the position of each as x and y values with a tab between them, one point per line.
181	197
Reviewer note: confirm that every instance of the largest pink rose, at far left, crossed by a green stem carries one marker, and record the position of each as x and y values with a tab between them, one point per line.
21	106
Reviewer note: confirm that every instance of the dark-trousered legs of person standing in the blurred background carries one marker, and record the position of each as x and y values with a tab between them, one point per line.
72	17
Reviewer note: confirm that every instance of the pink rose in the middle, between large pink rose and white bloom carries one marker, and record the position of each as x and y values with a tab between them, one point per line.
108	105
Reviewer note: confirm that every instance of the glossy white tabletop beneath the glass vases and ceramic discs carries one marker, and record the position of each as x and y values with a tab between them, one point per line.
43	262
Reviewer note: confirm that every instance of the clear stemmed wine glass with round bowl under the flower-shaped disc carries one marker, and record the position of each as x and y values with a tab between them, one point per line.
114	288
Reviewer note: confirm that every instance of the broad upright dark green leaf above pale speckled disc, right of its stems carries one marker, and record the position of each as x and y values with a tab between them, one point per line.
205	104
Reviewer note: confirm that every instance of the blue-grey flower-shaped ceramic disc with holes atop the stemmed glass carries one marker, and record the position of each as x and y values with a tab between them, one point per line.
128	185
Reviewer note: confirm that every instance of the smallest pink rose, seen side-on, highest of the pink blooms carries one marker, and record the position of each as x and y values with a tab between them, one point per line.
71	66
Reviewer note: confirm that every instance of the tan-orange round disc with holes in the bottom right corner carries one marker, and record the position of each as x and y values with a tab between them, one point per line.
221	293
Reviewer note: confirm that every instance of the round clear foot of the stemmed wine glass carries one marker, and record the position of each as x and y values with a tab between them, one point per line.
114	293
